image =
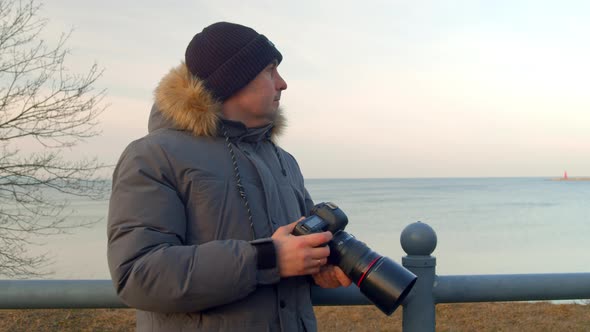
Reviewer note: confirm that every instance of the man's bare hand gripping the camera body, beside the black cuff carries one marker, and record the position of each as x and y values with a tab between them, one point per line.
300	255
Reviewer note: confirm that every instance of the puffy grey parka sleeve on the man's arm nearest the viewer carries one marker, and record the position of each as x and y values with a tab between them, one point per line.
151	267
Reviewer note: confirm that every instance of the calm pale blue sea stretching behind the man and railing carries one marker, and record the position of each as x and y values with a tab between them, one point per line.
483	225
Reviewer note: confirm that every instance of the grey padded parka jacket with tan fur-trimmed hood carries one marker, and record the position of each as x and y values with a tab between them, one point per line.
180	245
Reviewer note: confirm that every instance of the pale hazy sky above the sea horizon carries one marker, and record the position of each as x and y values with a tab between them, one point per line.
376	89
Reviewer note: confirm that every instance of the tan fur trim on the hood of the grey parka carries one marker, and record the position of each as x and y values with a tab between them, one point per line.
182	102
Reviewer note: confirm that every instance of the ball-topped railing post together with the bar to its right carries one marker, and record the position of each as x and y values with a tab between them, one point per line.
419	241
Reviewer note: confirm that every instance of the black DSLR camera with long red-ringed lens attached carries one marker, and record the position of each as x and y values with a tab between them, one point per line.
383	281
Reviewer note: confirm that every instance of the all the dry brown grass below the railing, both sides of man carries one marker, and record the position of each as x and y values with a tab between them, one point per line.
450	317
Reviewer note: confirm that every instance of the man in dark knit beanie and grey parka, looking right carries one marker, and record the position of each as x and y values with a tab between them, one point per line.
203	207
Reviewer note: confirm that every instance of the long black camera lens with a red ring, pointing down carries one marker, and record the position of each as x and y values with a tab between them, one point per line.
379	278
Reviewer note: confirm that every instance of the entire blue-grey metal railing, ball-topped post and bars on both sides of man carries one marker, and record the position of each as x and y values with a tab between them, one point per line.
418	241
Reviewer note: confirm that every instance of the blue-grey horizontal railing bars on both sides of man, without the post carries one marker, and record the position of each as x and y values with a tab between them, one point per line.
47	294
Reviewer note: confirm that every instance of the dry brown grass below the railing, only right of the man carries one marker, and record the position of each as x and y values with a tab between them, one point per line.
464	317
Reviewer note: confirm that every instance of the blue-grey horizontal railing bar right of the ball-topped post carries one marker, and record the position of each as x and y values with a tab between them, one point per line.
511	287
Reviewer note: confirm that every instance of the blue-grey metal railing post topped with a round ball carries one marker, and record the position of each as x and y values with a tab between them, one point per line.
419	241
